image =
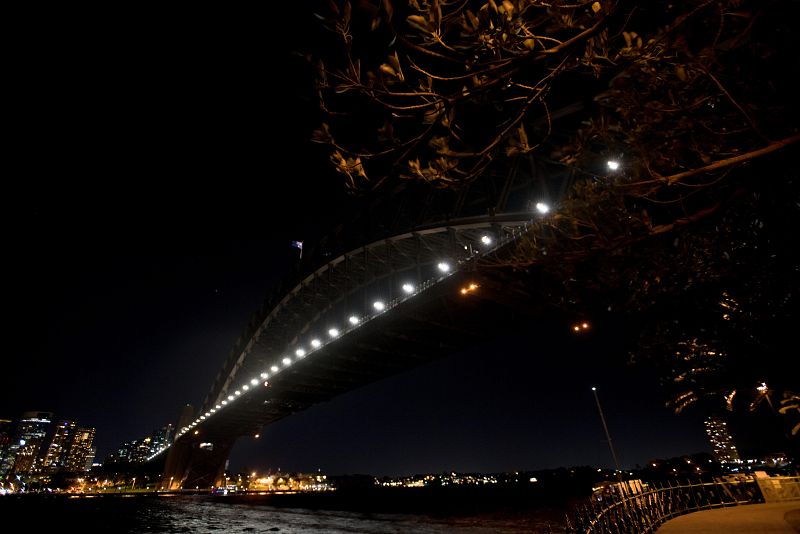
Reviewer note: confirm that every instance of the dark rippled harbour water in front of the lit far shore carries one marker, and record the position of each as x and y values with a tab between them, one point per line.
214	515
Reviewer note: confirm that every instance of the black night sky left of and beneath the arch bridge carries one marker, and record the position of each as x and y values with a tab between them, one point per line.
153	213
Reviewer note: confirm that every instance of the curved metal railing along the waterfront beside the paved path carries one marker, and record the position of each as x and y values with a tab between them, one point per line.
637	508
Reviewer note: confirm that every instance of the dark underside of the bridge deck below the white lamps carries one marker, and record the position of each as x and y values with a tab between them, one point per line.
432	325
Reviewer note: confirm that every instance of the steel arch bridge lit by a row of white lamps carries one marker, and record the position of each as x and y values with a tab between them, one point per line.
271	374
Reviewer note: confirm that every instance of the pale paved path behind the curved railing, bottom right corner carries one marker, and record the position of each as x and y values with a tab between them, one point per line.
771	518
